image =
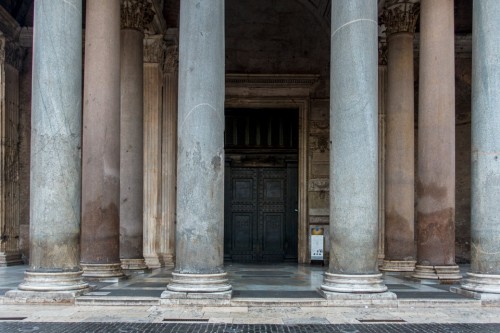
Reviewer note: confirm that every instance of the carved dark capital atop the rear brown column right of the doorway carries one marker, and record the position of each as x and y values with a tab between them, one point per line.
400	16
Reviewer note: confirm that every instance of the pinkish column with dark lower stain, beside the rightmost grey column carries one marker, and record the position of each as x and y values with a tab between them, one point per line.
436	144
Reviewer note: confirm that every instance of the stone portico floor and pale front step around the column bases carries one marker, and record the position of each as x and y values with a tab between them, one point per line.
282	294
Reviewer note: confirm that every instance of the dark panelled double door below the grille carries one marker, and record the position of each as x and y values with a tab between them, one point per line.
261	214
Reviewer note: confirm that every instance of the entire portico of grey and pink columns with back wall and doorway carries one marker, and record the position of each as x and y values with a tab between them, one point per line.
188	134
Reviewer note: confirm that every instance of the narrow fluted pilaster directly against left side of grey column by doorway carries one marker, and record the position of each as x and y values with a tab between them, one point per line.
169	157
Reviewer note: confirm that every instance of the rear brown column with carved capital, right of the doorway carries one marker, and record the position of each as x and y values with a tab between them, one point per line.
400	19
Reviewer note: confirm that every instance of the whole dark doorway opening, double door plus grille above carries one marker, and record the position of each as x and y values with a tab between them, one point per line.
261	188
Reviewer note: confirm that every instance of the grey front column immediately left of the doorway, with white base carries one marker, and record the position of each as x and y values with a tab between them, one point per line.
199	269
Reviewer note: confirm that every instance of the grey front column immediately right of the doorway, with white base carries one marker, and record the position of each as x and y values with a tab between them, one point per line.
353	154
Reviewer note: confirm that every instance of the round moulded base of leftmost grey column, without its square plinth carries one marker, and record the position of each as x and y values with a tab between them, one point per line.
53	281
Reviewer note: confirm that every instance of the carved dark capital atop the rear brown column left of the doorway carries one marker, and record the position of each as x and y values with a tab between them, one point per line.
136	14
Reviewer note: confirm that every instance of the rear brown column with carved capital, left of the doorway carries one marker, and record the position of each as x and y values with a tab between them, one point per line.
136	14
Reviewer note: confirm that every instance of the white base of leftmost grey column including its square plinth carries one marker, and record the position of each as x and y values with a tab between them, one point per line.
48	287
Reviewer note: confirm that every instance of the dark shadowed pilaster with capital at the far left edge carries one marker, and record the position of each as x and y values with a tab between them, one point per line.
11	56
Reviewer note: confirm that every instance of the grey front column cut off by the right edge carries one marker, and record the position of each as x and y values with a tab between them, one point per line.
483	280
